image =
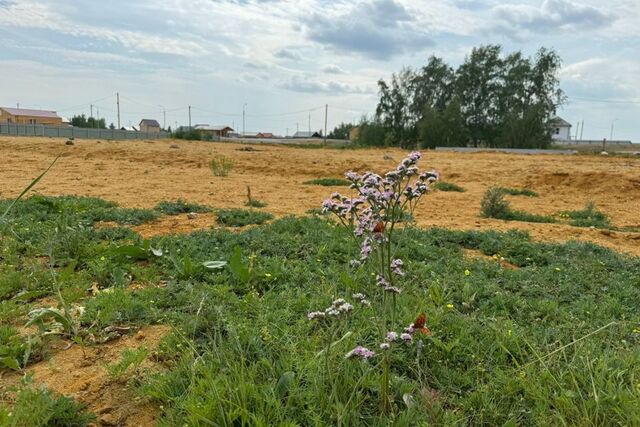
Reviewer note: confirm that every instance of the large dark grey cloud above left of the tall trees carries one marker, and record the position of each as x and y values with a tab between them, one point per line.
376	29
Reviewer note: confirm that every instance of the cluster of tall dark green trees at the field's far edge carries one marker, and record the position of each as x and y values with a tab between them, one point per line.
490	100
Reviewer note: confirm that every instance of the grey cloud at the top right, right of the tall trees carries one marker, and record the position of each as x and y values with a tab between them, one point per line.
552	15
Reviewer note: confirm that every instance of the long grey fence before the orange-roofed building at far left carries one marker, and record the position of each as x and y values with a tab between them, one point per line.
75	132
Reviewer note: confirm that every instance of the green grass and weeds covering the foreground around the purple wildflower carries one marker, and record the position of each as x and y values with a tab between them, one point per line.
552	341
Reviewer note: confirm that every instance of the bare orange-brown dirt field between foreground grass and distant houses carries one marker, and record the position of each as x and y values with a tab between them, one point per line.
142	173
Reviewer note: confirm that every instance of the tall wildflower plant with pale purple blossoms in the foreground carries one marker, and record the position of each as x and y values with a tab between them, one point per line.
372	217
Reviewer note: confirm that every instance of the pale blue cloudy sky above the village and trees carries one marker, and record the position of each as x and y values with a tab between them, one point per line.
284	60
